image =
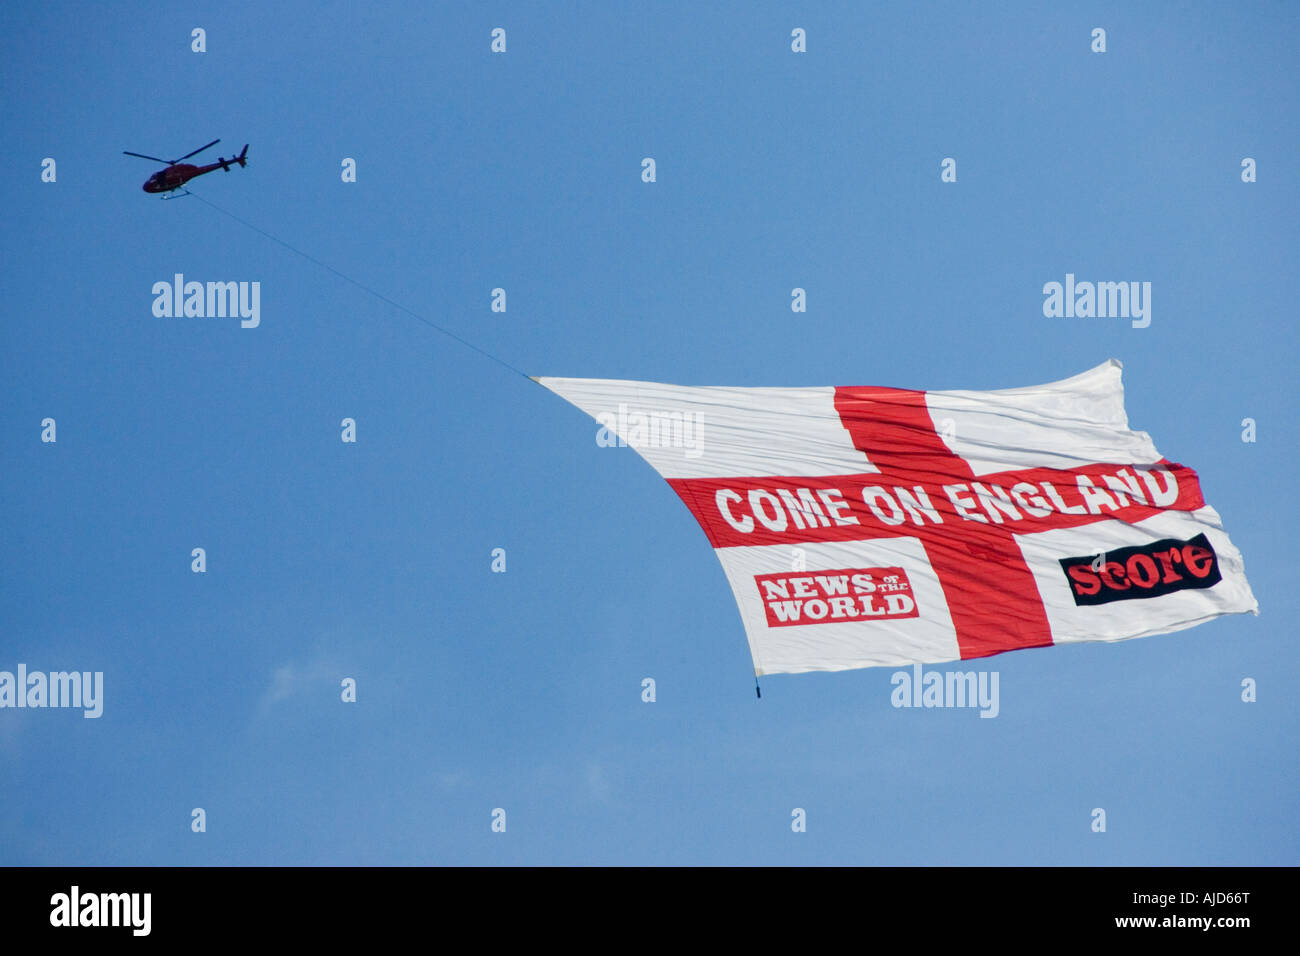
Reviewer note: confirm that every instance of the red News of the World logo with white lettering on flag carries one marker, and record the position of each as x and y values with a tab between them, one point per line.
825	598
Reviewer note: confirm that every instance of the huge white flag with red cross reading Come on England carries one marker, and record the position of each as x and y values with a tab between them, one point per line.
864	527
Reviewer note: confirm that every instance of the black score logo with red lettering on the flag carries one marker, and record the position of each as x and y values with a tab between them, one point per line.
1152	570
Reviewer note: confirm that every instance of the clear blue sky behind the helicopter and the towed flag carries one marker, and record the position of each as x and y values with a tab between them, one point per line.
522	171
